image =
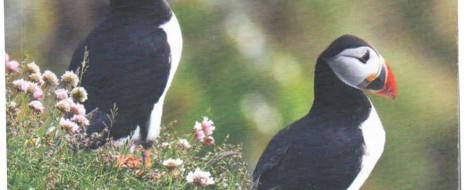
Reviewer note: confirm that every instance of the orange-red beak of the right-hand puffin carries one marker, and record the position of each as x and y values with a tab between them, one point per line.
385	83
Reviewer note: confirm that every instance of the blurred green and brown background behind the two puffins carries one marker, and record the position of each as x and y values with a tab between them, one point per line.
249	66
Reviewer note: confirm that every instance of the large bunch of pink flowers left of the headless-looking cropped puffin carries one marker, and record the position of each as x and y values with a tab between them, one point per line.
69	100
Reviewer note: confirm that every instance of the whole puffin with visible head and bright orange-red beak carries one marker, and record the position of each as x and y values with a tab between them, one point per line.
338	142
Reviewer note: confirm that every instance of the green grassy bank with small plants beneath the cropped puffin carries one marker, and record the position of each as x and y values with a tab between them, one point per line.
45	157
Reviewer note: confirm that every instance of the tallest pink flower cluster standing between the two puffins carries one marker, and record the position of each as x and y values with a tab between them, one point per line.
203	131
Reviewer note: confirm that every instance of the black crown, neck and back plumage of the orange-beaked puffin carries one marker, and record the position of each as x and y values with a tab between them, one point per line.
323	150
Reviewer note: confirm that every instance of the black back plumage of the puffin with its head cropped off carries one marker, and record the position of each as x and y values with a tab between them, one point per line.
129	64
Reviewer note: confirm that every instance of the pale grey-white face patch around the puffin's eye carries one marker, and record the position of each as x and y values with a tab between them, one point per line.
353	65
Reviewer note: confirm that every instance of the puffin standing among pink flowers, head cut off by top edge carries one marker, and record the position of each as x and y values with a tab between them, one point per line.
133	55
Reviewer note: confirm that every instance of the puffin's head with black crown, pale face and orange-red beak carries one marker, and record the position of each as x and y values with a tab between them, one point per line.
359	65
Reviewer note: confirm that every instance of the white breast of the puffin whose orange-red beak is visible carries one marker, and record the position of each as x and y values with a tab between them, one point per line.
374	137
